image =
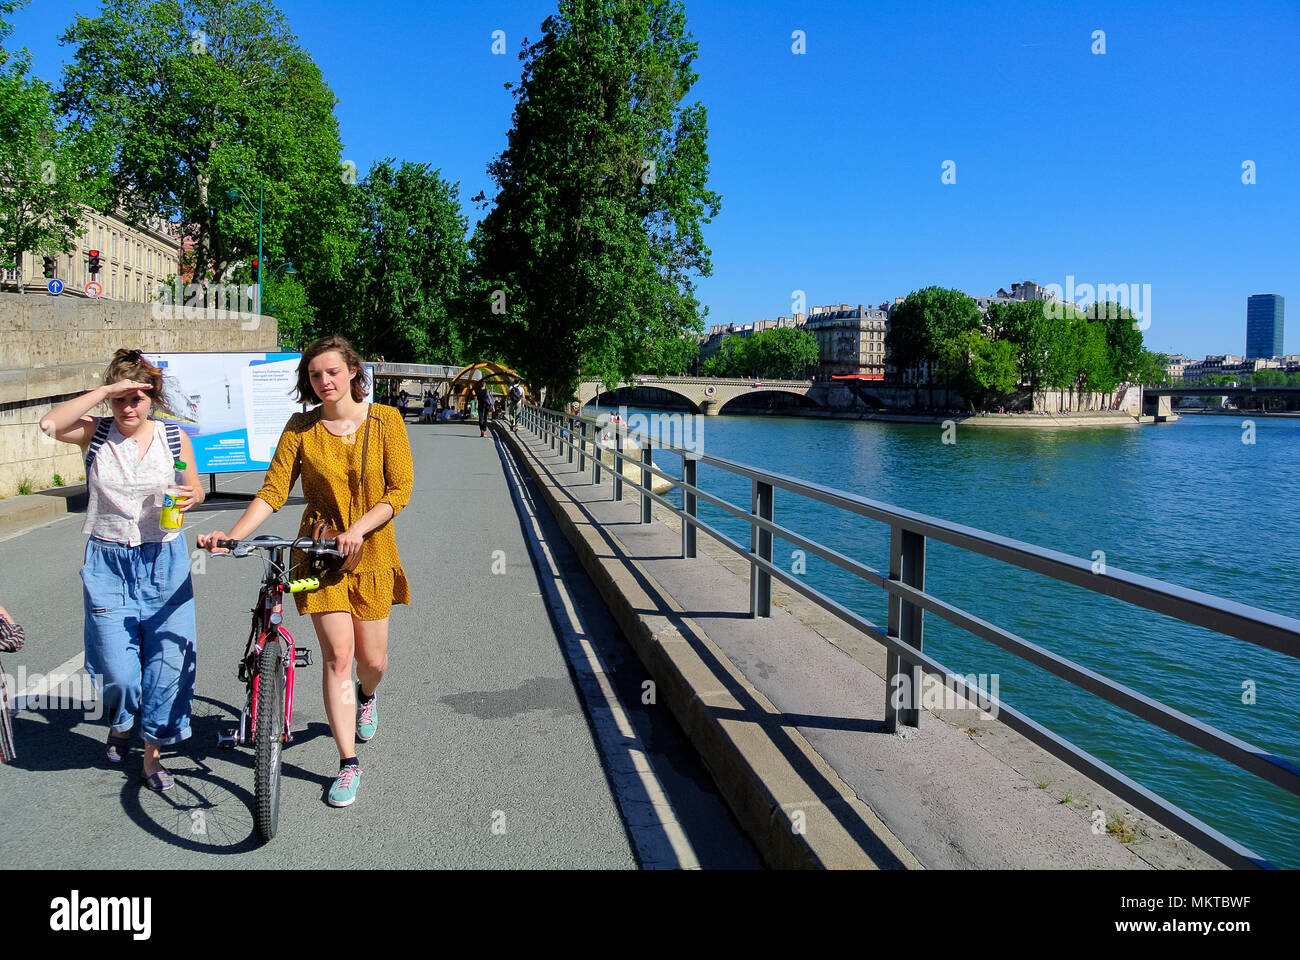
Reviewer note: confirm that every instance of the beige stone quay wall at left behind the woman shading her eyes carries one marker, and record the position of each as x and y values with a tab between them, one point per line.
55	348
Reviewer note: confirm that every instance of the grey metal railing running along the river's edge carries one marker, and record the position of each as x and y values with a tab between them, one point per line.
905	585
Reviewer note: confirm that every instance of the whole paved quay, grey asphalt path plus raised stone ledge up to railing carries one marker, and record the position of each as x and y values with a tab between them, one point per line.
519	729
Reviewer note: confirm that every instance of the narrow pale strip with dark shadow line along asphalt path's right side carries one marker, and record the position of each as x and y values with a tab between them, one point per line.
610	720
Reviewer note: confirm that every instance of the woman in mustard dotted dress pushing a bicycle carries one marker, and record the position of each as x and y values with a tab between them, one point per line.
350	612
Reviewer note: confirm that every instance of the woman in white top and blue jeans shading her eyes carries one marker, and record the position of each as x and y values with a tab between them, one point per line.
140	625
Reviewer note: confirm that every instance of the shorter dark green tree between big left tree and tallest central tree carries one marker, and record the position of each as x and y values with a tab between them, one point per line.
411	270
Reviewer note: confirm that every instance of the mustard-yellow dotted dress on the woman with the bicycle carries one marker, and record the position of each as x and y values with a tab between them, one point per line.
331	469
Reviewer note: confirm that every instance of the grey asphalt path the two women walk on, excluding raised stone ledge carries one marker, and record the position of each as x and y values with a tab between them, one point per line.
514	732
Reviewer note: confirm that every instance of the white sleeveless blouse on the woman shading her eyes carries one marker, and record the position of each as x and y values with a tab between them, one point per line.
124	498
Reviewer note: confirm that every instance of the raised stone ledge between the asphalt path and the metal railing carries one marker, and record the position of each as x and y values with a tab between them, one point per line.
788	713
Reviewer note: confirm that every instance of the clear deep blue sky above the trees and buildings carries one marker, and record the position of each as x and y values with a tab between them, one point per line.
1116	168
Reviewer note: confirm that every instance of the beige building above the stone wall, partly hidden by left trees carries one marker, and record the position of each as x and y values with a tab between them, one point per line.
133	262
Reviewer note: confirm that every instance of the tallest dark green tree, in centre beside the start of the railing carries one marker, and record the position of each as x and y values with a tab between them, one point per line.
596	232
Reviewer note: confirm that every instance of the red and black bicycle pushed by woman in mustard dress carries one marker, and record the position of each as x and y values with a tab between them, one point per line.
268	667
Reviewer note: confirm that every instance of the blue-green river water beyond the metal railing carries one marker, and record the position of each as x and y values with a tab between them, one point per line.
1186	503
